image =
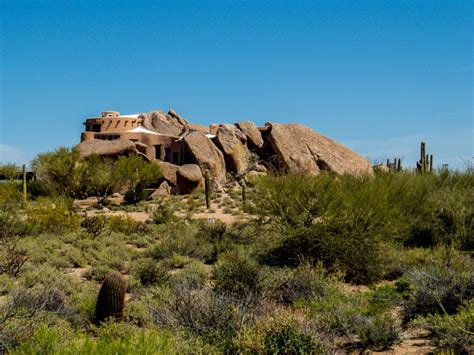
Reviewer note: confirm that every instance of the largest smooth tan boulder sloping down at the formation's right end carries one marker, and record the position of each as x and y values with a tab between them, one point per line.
303	150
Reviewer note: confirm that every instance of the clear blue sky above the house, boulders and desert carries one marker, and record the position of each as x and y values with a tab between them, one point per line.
377	76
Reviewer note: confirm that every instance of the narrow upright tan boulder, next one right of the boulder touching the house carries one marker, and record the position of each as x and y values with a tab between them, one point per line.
237	155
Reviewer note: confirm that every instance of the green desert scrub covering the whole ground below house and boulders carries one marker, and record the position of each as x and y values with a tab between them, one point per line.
322	263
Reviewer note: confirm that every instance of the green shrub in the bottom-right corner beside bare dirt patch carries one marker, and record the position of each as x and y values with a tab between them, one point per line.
451	333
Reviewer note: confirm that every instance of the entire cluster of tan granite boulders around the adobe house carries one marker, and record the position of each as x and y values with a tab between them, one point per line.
242	149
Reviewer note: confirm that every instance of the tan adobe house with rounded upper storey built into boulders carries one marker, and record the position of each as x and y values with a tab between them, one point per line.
112	126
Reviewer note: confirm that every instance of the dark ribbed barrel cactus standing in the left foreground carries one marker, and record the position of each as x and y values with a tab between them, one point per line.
110	302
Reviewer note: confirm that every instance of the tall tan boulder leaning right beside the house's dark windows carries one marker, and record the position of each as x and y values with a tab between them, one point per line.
206	154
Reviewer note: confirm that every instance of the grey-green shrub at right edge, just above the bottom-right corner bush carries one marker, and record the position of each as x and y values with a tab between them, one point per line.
439	286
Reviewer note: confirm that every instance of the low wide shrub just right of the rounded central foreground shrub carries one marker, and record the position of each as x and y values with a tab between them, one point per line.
288	285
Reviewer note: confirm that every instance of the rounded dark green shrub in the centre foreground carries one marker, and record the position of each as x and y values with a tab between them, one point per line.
237	273
